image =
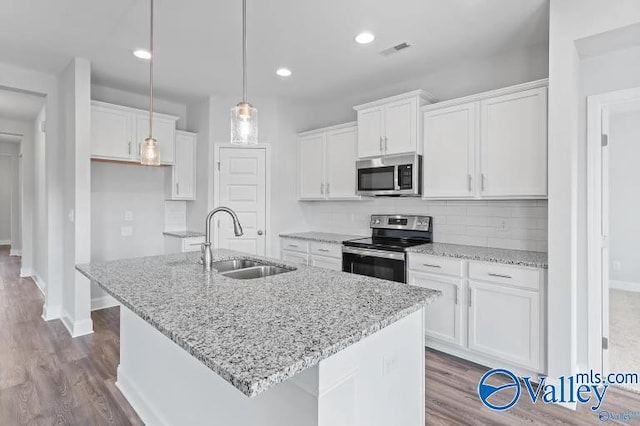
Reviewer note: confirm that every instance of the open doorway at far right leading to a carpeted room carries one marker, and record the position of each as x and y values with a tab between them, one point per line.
614	255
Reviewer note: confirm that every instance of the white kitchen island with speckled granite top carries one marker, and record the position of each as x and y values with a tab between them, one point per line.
306	347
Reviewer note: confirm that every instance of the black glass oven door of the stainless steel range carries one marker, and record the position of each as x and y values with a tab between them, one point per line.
374	263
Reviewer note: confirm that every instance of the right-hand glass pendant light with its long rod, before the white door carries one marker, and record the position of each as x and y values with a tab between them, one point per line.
244	117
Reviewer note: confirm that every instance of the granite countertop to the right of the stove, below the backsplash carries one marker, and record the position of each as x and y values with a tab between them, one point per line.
485	254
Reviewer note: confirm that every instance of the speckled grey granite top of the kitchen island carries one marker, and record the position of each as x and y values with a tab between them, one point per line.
255	333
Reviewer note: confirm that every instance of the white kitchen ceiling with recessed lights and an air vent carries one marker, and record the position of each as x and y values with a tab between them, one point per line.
198	41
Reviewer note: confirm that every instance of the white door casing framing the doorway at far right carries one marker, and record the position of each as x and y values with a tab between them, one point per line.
597	108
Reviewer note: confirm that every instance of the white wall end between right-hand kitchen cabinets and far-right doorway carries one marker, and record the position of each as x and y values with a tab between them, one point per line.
570	21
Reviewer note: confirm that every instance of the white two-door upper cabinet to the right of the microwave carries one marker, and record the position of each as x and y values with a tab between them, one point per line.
487	146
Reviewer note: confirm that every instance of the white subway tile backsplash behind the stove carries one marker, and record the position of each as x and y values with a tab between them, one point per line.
520	225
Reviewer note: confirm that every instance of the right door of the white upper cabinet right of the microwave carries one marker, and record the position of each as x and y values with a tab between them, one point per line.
514	145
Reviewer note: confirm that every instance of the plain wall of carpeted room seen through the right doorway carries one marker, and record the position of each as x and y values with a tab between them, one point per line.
624	204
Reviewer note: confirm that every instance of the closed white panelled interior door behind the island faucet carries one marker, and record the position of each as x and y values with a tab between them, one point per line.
242	187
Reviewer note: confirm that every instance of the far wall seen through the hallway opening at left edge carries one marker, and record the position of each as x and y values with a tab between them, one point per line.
9	194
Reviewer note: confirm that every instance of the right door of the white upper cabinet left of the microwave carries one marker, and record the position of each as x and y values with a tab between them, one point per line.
341	155
